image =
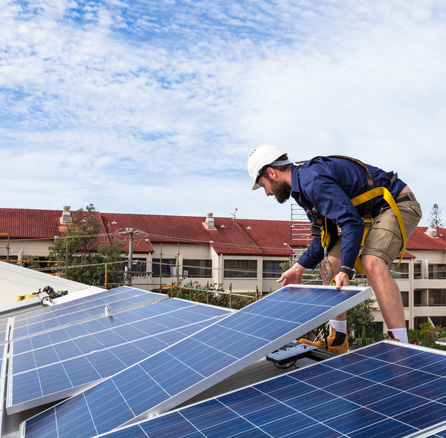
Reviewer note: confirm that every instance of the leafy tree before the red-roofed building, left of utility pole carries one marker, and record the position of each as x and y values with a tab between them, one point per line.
86	251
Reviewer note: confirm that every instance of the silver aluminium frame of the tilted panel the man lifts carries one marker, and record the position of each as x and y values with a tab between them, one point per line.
175	400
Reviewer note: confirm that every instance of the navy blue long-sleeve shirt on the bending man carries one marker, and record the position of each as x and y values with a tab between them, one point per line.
328	184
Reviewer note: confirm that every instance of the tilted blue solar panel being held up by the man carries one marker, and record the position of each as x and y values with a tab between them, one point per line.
185	369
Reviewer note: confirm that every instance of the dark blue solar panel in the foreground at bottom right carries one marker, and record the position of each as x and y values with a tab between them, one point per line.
384	390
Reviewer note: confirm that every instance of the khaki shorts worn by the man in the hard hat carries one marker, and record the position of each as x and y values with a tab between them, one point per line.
384	239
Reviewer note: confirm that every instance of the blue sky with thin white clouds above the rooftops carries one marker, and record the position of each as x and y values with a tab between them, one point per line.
153	106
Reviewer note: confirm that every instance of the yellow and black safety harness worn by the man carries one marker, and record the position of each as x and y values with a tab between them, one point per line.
319	222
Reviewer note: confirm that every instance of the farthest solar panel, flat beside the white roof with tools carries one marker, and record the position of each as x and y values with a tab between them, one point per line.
73	311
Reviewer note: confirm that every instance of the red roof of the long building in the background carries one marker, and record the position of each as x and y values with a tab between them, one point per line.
230	236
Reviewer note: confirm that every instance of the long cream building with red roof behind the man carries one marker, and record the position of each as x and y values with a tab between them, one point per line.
241	255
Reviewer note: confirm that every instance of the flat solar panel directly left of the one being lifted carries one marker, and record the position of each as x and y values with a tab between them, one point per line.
56	364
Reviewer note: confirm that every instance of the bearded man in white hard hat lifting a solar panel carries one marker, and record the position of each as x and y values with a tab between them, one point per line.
375	211
